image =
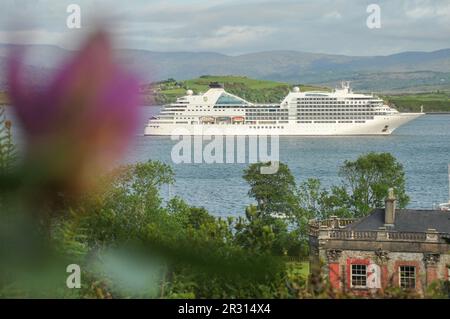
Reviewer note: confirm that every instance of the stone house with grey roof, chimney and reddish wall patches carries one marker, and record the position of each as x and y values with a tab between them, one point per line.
389	248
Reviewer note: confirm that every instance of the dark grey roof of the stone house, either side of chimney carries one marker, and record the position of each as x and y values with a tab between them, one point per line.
406	220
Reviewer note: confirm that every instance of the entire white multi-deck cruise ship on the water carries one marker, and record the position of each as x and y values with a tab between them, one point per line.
217	112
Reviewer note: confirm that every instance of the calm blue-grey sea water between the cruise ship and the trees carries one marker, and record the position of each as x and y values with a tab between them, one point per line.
422	146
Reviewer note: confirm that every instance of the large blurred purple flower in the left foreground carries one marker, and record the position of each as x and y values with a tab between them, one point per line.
83	119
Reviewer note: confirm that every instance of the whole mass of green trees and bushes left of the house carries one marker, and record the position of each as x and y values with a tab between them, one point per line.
208	257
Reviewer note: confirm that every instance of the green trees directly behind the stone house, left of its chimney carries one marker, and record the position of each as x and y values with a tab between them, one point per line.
364	186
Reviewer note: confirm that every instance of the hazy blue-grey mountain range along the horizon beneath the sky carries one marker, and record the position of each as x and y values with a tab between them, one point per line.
407	71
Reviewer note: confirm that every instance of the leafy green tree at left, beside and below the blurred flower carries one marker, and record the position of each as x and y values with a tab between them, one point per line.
126	202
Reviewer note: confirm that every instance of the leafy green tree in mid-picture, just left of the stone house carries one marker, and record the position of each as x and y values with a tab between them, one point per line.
266	227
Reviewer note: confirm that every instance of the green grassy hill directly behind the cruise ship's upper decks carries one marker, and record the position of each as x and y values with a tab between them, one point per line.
260	91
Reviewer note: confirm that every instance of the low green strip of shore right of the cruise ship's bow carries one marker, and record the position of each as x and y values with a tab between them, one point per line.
432	102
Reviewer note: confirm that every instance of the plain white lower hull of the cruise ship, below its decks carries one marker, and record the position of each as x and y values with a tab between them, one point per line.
380	125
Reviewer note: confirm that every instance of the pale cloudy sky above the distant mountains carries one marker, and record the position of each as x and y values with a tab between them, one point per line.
237	26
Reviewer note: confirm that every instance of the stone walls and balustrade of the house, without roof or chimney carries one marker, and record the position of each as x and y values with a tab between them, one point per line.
334	249
